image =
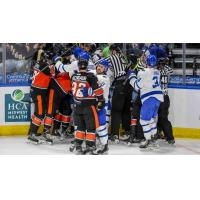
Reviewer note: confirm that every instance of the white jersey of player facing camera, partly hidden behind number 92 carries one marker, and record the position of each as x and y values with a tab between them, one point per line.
104	83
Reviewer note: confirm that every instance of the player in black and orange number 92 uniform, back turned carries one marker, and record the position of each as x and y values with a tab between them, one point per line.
85	112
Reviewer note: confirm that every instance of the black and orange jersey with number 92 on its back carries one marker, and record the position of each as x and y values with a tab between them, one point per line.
88	82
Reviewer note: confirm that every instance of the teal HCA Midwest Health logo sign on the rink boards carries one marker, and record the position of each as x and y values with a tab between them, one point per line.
16	109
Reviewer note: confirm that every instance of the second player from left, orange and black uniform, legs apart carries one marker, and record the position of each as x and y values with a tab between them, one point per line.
58	99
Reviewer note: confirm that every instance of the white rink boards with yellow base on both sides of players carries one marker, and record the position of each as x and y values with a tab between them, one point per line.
185	116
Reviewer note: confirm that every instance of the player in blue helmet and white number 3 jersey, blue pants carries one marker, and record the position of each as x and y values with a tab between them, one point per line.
151	95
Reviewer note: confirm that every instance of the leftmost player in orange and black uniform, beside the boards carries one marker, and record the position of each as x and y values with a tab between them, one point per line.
39	91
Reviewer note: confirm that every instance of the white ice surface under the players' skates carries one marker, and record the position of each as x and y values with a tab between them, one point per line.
18	145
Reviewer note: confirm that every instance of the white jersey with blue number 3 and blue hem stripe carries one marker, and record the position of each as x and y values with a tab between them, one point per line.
148	82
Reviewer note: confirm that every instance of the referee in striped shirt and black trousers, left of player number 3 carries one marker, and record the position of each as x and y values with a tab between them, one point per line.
121	99
